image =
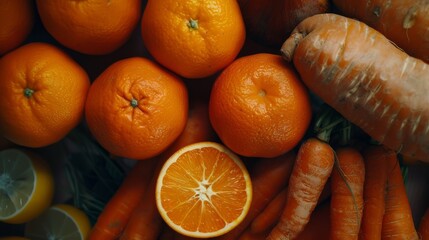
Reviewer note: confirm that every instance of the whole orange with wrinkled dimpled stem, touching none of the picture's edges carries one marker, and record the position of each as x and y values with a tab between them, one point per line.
136	108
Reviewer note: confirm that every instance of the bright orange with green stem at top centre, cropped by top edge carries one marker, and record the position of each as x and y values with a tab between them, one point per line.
194	39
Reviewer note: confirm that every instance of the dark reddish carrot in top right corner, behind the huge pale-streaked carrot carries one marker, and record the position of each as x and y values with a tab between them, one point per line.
404	22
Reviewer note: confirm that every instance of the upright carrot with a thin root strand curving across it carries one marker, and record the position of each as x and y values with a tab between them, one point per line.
347	185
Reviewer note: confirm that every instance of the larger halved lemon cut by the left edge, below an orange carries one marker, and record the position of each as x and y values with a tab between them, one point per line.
26	186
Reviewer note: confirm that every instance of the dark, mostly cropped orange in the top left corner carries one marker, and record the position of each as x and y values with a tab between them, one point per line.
17	20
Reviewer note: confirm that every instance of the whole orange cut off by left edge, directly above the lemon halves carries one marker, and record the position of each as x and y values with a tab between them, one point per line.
43	94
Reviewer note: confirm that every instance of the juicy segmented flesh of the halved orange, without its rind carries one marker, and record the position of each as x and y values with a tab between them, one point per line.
203	197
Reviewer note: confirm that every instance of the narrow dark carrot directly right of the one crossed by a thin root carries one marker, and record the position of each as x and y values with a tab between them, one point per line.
375	189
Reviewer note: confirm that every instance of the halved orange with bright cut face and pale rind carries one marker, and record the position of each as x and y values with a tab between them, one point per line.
203	190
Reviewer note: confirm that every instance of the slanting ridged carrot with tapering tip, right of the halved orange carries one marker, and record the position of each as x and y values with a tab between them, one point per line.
311	171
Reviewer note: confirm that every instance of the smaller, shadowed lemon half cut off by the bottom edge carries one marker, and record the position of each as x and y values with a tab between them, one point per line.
61	221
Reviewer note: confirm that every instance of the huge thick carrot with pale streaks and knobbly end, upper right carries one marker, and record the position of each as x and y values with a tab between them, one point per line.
362	75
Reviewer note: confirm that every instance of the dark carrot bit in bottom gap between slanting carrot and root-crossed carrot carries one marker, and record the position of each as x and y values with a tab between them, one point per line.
319	224
